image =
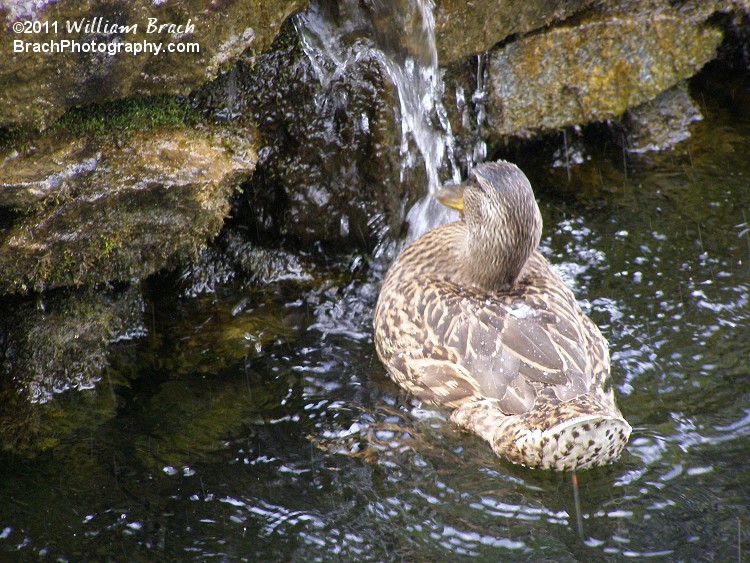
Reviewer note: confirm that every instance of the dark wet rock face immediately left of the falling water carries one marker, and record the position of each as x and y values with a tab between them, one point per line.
330	168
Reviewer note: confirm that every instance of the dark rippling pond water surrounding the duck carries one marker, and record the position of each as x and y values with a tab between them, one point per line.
256	422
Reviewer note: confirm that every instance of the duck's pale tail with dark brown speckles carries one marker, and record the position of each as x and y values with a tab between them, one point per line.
578	434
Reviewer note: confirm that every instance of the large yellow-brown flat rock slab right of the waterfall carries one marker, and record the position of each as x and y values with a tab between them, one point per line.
592	71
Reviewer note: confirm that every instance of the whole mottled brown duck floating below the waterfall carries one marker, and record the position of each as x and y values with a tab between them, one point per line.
471	317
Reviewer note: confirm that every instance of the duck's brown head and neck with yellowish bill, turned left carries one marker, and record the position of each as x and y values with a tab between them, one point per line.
503	223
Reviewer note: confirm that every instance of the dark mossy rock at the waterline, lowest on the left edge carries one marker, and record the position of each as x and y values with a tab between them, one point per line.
55	342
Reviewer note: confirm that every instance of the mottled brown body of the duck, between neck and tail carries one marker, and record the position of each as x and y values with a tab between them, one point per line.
448	343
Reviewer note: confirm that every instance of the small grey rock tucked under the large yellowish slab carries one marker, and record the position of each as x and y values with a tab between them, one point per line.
662	122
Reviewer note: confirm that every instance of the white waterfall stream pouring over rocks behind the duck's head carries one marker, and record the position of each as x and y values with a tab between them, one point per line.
401	35
